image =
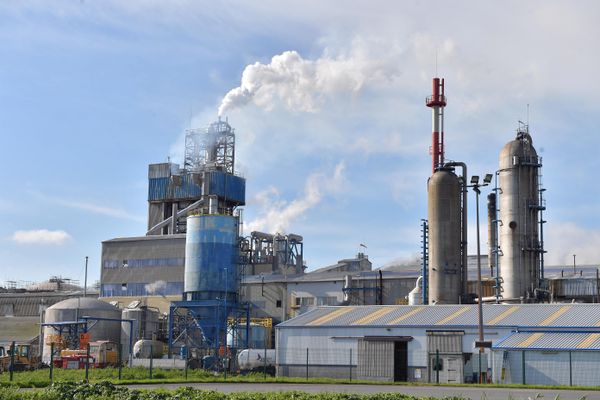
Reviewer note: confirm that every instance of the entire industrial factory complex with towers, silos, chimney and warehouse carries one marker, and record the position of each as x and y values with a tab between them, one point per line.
195	289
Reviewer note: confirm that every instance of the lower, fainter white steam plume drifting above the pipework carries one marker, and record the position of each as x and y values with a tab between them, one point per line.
277	216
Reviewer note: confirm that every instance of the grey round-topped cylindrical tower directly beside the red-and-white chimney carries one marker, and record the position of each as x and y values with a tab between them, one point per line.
444	214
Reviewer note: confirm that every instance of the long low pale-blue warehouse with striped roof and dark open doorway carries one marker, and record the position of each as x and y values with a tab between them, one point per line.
437	343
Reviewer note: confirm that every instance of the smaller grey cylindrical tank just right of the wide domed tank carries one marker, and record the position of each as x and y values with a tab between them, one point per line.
145	324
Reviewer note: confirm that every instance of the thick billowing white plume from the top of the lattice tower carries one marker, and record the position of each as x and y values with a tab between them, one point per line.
303	85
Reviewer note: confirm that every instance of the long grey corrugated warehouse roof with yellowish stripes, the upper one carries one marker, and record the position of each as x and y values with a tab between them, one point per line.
506	315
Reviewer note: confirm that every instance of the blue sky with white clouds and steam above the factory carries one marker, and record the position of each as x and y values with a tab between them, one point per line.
332	131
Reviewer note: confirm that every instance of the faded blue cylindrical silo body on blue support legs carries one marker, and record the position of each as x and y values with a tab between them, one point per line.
211	262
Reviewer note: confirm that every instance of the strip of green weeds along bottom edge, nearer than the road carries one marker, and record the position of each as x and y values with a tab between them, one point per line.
108	391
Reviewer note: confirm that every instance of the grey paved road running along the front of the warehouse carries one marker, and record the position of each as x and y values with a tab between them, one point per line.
473	393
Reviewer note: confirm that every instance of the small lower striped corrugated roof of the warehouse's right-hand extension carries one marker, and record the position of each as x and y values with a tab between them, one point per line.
550	341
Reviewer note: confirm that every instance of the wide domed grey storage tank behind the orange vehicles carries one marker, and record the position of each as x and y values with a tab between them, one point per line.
71	310
